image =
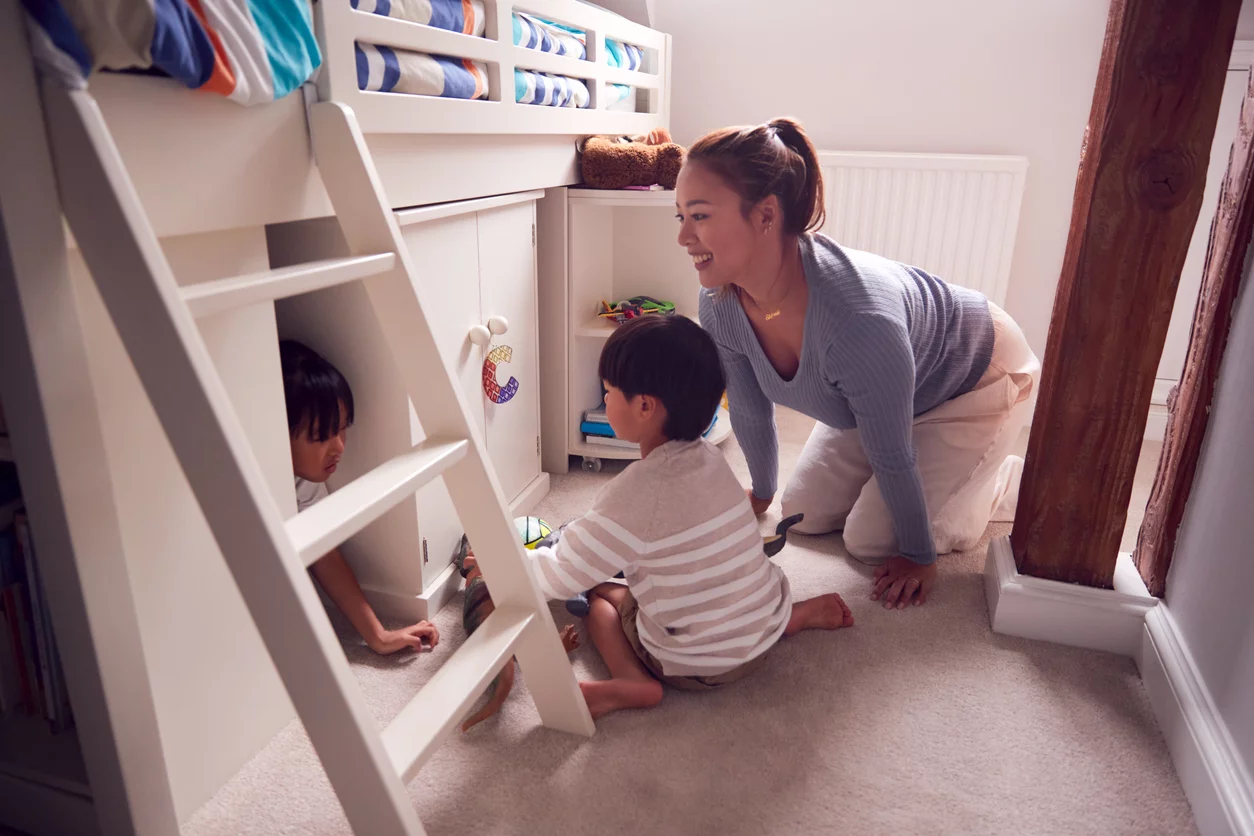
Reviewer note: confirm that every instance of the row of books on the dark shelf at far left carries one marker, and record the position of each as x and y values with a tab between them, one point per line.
32	680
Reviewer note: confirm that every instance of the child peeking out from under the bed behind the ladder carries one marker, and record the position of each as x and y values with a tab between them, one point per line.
319	415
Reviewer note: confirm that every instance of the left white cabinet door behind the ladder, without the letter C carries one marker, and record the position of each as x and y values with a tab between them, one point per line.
447	259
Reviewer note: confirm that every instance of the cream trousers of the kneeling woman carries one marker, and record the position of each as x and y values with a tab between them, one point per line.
964	453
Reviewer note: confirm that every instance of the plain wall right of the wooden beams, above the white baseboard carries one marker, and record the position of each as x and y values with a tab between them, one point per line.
1213	571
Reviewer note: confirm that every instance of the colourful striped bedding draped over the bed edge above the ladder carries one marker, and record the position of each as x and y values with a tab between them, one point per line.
251	52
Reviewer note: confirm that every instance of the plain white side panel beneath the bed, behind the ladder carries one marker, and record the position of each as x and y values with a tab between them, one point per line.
218	696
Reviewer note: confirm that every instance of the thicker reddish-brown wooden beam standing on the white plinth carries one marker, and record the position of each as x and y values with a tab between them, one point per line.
1142	176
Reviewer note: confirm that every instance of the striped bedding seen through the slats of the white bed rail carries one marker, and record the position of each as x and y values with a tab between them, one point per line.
384	70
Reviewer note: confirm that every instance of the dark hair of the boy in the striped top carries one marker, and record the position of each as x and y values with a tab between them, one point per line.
673	359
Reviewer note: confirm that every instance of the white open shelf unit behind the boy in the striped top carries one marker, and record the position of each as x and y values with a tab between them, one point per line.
618	244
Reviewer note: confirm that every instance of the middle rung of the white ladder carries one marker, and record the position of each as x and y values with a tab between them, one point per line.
342	515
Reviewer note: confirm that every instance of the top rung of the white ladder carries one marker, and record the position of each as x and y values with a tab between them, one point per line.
226	294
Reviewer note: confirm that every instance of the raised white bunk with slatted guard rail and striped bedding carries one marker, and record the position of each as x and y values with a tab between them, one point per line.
251	166
